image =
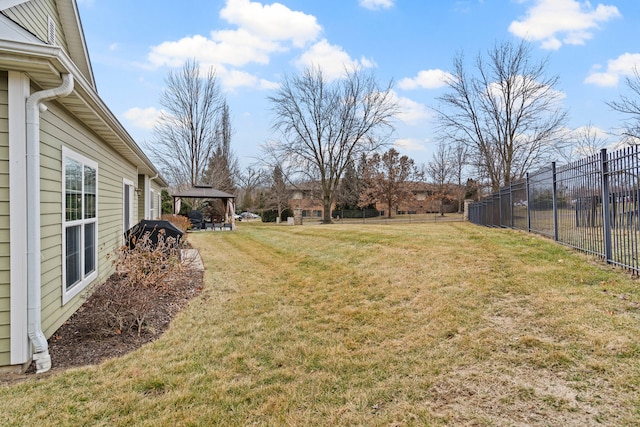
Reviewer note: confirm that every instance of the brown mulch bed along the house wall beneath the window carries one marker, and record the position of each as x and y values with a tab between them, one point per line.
80	341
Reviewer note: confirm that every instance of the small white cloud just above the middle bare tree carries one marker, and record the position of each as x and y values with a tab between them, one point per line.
332	59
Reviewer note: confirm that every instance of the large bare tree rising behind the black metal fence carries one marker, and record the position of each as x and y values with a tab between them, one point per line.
508	112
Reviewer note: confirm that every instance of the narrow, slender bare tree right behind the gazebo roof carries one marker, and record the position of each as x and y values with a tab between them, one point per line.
222	169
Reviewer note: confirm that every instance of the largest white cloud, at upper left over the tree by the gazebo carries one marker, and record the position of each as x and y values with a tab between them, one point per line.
262	30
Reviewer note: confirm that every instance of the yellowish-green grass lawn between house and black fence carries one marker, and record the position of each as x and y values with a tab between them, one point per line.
372	325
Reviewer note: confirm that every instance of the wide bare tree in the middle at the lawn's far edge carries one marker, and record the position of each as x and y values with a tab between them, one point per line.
326	124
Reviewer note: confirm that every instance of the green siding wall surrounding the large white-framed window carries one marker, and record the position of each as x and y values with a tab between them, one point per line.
59	129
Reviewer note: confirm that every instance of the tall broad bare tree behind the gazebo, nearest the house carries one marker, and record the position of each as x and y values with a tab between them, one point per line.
184	137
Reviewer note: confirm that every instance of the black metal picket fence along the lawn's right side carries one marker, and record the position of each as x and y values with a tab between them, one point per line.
591	205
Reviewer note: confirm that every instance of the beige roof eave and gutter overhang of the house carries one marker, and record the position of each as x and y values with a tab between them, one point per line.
45	64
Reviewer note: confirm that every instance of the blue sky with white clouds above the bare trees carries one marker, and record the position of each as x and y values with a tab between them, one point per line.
591	46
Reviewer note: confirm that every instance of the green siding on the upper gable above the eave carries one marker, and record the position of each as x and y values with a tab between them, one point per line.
32	16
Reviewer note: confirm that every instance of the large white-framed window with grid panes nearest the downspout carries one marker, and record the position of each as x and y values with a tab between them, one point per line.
80	223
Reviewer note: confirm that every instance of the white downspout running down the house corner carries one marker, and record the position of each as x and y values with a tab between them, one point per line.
34	107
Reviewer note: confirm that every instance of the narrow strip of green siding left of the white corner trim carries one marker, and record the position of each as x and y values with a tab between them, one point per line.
5	294
